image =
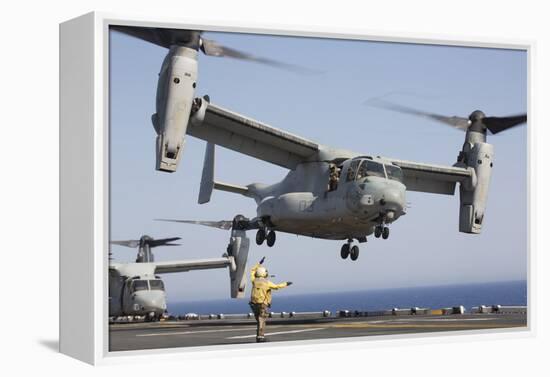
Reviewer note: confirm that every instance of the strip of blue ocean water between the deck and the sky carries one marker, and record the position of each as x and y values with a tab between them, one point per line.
469	295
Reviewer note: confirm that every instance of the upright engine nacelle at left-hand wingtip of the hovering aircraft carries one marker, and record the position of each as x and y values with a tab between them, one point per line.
175	93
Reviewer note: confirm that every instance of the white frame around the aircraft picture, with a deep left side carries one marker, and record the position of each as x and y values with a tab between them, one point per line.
84	185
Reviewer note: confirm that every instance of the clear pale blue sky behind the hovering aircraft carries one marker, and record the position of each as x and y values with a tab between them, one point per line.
331	108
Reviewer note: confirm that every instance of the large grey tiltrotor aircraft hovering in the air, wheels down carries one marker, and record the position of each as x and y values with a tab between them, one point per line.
329	193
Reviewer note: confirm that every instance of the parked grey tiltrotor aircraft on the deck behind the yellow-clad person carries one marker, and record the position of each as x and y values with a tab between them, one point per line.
136	289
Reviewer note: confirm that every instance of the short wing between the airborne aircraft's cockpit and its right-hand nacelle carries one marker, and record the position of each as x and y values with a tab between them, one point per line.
435	179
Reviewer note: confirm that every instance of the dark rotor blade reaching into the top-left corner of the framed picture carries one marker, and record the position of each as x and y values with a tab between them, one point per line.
161	36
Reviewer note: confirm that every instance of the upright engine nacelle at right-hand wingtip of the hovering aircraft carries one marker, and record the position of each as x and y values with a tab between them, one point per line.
477	155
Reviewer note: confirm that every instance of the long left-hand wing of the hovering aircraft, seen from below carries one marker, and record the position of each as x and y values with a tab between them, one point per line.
251	137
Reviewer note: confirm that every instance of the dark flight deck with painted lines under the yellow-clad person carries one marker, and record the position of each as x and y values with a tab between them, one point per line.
221	330
